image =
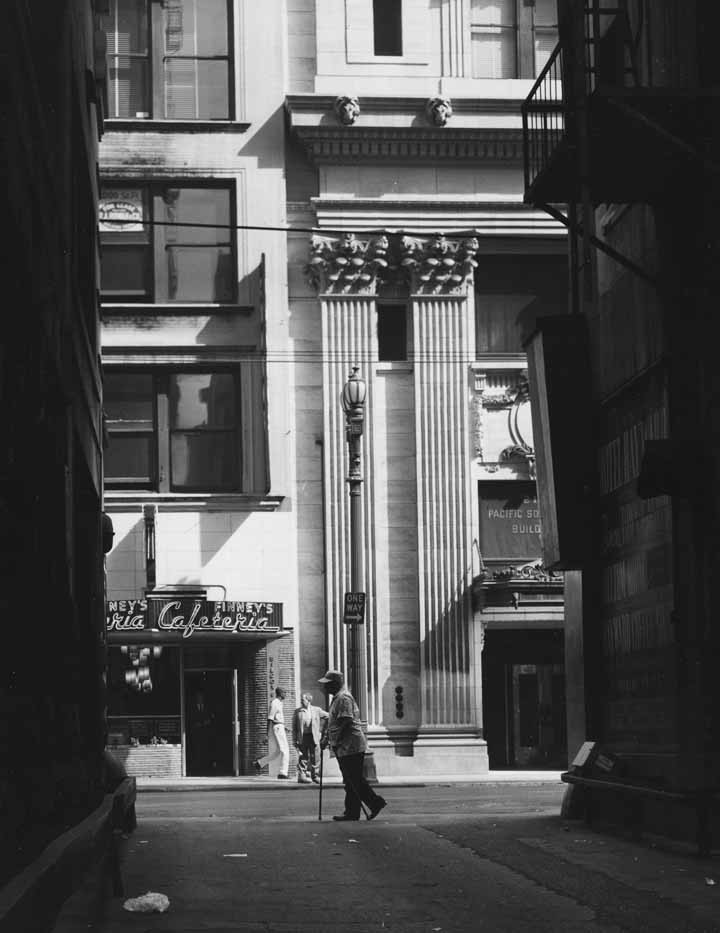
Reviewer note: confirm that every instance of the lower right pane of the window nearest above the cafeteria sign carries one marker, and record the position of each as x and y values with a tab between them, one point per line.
204	460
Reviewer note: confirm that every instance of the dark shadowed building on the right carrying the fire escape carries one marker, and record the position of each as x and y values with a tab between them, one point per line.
630	377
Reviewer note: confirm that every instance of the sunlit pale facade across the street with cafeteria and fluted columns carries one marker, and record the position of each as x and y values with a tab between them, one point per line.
342	188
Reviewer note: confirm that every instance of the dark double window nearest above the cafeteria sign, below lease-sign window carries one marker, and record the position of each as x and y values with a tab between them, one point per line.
173	431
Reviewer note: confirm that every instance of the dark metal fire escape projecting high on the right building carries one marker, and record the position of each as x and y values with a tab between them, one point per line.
604	124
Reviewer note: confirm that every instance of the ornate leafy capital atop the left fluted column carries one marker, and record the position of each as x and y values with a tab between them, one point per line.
347	264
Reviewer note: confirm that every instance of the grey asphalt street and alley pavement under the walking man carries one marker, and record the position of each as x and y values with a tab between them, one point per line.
442	858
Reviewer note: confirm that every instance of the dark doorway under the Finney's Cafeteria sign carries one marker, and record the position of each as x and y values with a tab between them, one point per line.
209	749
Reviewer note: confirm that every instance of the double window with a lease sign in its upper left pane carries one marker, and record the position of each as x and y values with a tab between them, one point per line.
151	252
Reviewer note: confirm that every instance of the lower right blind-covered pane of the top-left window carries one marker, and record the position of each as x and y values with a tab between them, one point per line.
196	89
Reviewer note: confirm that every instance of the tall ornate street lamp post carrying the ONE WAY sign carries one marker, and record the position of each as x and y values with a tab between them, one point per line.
353	402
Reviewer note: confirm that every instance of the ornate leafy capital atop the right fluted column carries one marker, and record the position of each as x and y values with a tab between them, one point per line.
436	264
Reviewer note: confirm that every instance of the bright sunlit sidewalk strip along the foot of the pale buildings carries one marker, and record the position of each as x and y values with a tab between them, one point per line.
263	782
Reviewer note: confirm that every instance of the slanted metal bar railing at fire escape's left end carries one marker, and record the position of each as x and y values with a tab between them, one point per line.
543	117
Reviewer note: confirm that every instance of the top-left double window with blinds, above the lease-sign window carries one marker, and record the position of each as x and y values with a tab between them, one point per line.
168	59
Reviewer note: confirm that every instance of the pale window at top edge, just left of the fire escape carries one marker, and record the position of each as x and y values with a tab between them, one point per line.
512	38
